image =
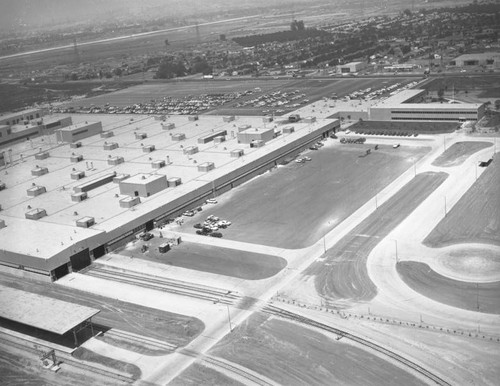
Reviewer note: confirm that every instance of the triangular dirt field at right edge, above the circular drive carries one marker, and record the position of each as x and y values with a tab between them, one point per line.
480	205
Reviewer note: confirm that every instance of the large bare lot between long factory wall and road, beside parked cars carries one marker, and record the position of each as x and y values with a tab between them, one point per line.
293	206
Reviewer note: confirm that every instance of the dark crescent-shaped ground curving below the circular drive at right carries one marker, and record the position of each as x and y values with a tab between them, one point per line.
481	297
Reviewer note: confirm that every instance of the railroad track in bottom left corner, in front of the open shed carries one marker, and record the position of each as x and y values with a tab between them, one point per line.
66	358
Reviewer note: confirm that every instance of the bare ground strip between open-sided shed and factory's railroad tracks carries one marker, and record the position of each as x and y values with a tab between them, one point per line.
162	325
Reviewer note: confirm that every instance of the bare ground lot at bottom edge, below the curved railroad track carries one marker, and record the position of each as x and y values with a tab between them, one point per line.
291	354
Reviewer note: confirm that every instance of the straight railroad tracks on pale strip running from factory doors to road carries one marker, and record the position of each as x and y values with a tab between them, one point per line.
213	294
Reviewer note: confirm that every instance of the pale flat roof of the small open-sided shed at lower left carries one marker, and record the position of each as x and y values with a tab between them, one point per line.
42	312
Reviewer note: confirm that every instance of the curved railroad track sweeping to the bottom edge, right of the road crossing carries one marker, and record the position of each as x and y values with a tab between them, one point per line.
343	334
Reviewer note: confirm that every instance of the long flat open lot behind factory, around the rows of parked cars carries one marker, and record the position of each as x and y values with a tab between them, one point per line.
310	89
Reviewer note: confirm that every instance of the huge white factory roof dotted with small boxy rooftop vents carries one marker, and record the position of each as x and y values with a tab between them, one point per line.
54	233
